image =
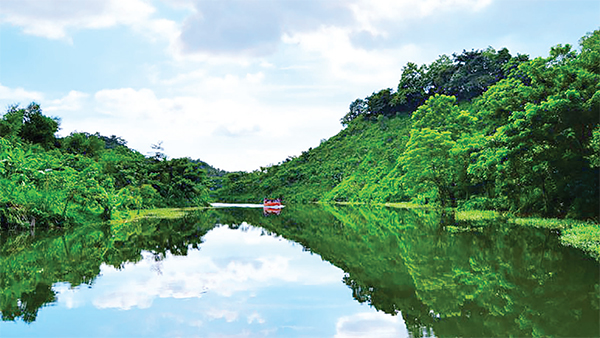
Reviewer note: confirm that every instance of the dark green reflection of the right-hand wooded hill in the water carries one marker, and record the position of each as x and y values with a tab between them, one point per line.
445	277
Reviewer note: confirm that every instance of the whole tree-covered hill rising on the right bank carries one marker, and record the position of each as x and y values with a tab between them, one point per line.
481	129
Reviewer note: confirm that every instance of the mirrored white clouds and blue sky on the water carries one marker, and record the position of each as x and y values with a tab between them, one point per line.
240	280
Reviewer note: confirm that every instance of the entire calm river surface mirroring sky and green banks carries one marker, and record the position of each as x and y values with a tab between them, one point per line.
306	272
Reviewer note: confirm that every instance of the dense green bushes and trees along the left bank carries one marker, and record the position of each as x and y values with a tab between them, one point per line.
47	182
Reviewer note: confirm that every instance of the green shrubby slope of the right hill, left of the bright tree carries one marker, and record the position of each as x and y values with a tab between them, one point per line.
367	147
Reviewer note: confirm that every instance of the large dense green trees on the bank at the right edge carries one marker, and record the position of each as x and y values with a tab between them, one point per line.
540	126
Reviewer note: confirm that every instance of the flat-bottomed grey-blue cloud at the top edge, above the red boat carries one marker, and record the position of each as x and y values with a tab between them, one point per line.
254	28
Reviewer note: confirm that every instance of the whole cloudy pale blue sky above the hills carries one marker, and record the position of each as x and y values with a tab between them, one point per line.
246	83
